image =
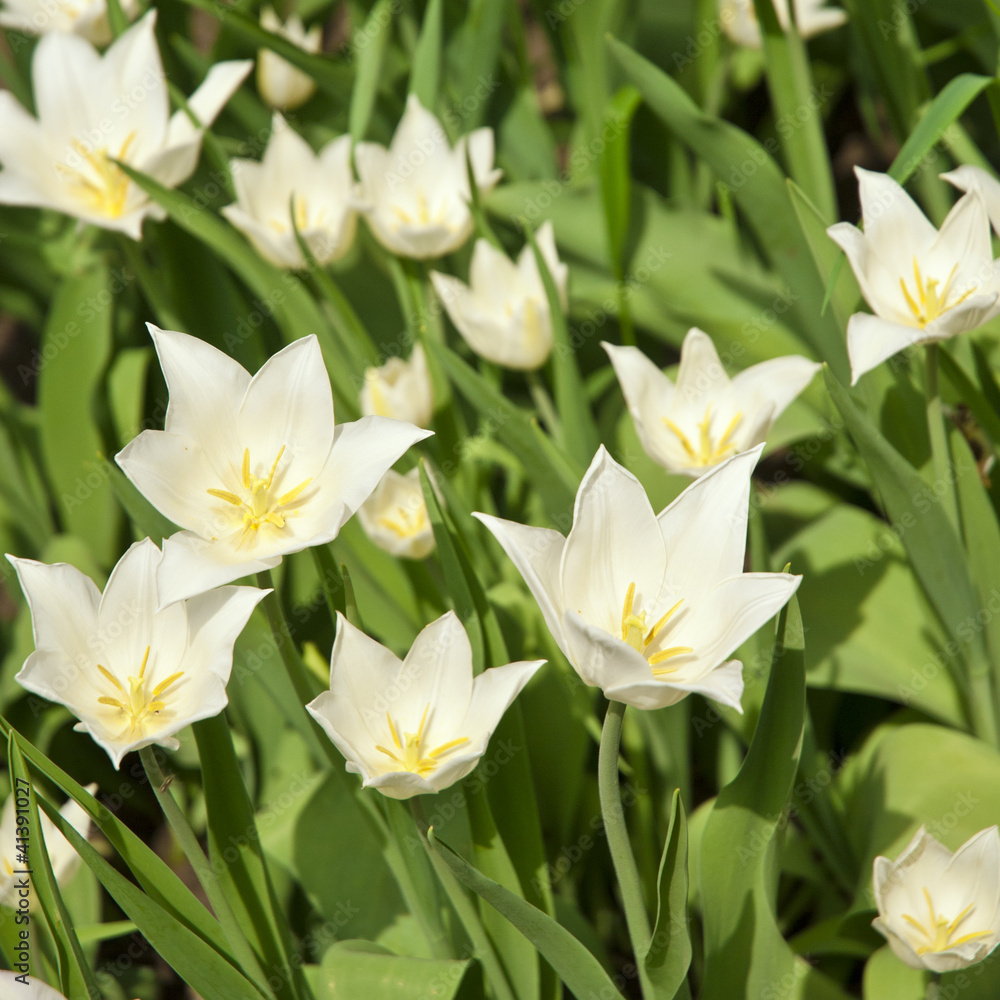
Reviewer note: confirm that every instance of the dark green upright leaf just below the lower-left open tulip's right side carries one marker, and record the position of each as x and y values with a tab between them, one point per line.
235	852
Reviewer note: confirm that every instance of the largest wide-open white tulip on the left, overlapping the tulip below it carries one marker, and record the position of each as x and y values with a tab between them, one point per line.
252	468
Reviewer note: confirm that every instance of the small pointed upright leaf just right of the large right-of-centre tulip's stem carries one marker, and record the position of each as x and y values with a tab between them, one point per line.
668	955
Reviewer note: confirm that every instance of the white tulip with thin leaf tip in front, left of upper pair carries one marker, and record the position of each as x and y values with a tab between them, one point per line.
323	189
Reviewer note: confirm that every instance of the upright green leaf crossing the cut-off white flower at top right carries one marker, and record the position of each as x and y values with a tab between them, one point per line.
798	106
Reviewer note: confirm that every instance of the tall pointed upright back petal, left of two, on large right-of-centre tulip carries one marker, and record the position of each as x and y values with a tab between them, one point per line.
615	541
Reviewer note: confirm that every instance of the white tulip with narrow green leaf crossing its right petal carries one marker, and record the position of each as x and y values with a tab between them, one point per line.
503	313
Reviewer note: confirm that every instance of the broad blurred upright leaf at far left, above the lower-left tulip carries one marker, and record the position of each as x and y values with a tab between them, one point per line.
76	348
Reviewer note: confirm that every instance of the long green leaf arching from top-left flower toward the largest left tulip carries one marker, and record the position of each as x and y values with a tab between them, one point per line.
294	308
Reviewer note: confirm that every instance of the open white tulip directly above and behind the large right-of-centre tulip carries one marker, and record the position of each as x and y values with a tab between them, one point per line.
707	417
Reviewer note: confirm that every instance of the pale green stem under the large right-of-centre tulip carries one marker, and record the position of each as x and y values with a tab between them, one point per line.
618	843
